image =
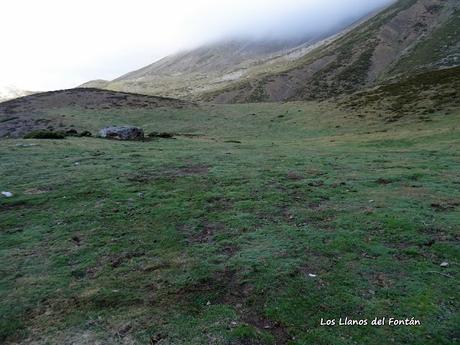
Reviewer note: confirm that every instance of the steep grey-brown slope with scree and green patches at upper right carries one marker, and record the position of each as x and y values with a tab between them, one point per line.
409	36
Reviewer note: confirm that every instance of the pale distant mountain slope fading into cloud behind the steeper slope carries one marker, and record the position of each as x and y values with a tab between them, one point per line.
214	66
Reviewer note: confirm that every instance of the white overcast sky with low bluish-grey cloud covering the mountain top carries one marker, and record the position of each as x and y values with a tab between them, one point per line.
53	44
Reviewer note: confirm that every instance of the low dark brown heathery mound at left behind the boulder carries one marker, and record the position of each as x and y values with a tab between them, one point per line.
22	115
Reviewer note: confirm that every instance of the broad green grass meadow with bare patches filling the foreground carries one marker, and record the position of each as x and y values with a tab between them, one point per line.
253	224
